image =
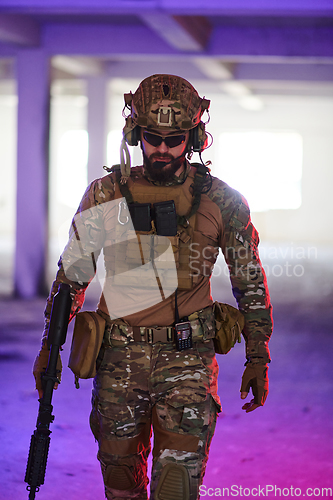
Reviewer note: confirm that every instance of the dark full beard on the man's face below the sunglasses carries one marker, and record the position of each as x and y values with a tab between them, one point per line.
163	169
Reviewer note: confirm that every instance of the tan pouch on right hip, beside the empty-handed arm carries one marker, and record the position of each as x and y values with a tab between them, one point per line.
229	323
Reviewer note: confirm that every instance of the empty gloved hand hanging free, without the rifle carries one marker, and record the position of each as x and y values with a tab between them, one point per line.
255	376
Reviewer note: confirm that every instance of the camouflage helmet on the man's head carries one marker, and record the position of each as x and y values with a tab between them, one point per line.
163	102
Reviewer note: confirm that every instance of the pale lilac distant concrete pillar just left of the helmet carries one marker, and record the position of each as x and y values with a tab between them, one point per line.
97	90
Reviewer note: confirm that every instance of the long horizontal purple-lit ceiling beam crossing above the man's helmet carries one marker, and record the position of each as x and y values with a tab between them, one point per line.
225	42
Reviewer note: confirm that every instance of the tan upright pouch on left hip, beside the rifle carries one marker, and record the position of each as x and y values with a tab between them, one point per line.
86	343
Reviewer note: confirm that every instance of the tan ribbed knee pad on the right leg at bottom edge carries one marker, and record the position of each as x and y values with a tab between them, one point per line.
173	483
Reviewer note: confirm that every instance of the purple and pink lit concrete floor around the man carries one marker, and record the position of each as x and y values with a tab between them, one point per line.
283	448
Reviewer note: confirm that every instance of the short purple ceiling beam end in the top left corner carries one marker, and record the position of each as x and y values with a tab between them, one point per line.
20	30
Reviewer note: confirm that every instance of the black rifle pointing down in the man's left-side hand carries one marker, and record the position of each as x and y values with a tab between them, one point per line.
40	439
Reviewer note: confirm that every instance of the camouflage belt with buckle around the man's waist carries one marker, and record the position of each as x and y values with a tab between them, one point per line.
118	334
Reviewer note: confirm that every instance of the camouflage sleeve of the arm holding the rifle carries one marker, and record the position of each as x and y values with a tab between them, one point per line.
79	272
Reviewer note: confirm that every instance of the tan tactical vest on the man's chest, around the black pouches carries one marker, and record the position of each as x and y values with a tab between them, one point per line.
193	254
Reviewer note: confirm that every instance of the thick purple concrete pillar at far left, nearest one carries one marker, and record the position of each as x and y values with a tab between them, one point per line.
32	172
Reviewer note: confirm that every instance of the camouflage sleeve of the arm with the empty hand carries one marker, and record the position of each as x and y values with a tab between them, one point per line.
239	244
